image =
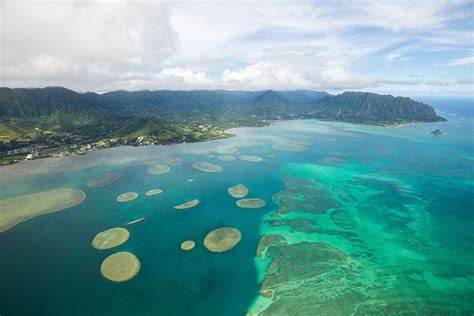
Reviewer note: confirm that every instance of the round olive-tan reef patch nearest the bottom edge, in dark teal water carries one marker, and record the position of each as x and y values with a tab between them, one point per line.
120	267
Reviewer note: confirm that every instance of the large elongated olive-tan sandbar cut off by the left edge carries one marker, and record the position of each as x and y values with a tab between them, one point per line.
21	208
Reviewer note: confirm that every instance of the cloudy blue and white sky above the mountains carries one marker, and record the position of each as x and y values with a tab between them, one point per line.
385	46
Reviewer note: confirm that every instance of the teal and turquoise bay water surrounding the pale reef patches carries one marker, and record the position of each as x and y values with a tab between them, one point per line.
377	220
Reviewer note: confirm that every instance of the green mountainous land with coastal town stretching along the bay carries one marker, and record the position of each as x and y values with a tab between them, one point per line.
58	122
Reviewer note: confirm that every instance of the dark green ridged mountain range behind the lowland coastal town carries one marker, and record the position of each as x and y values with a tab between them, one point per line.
175	106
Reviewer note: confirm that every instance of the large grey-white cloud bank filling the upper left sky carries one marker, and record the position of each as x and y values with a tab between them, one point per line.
60	42
